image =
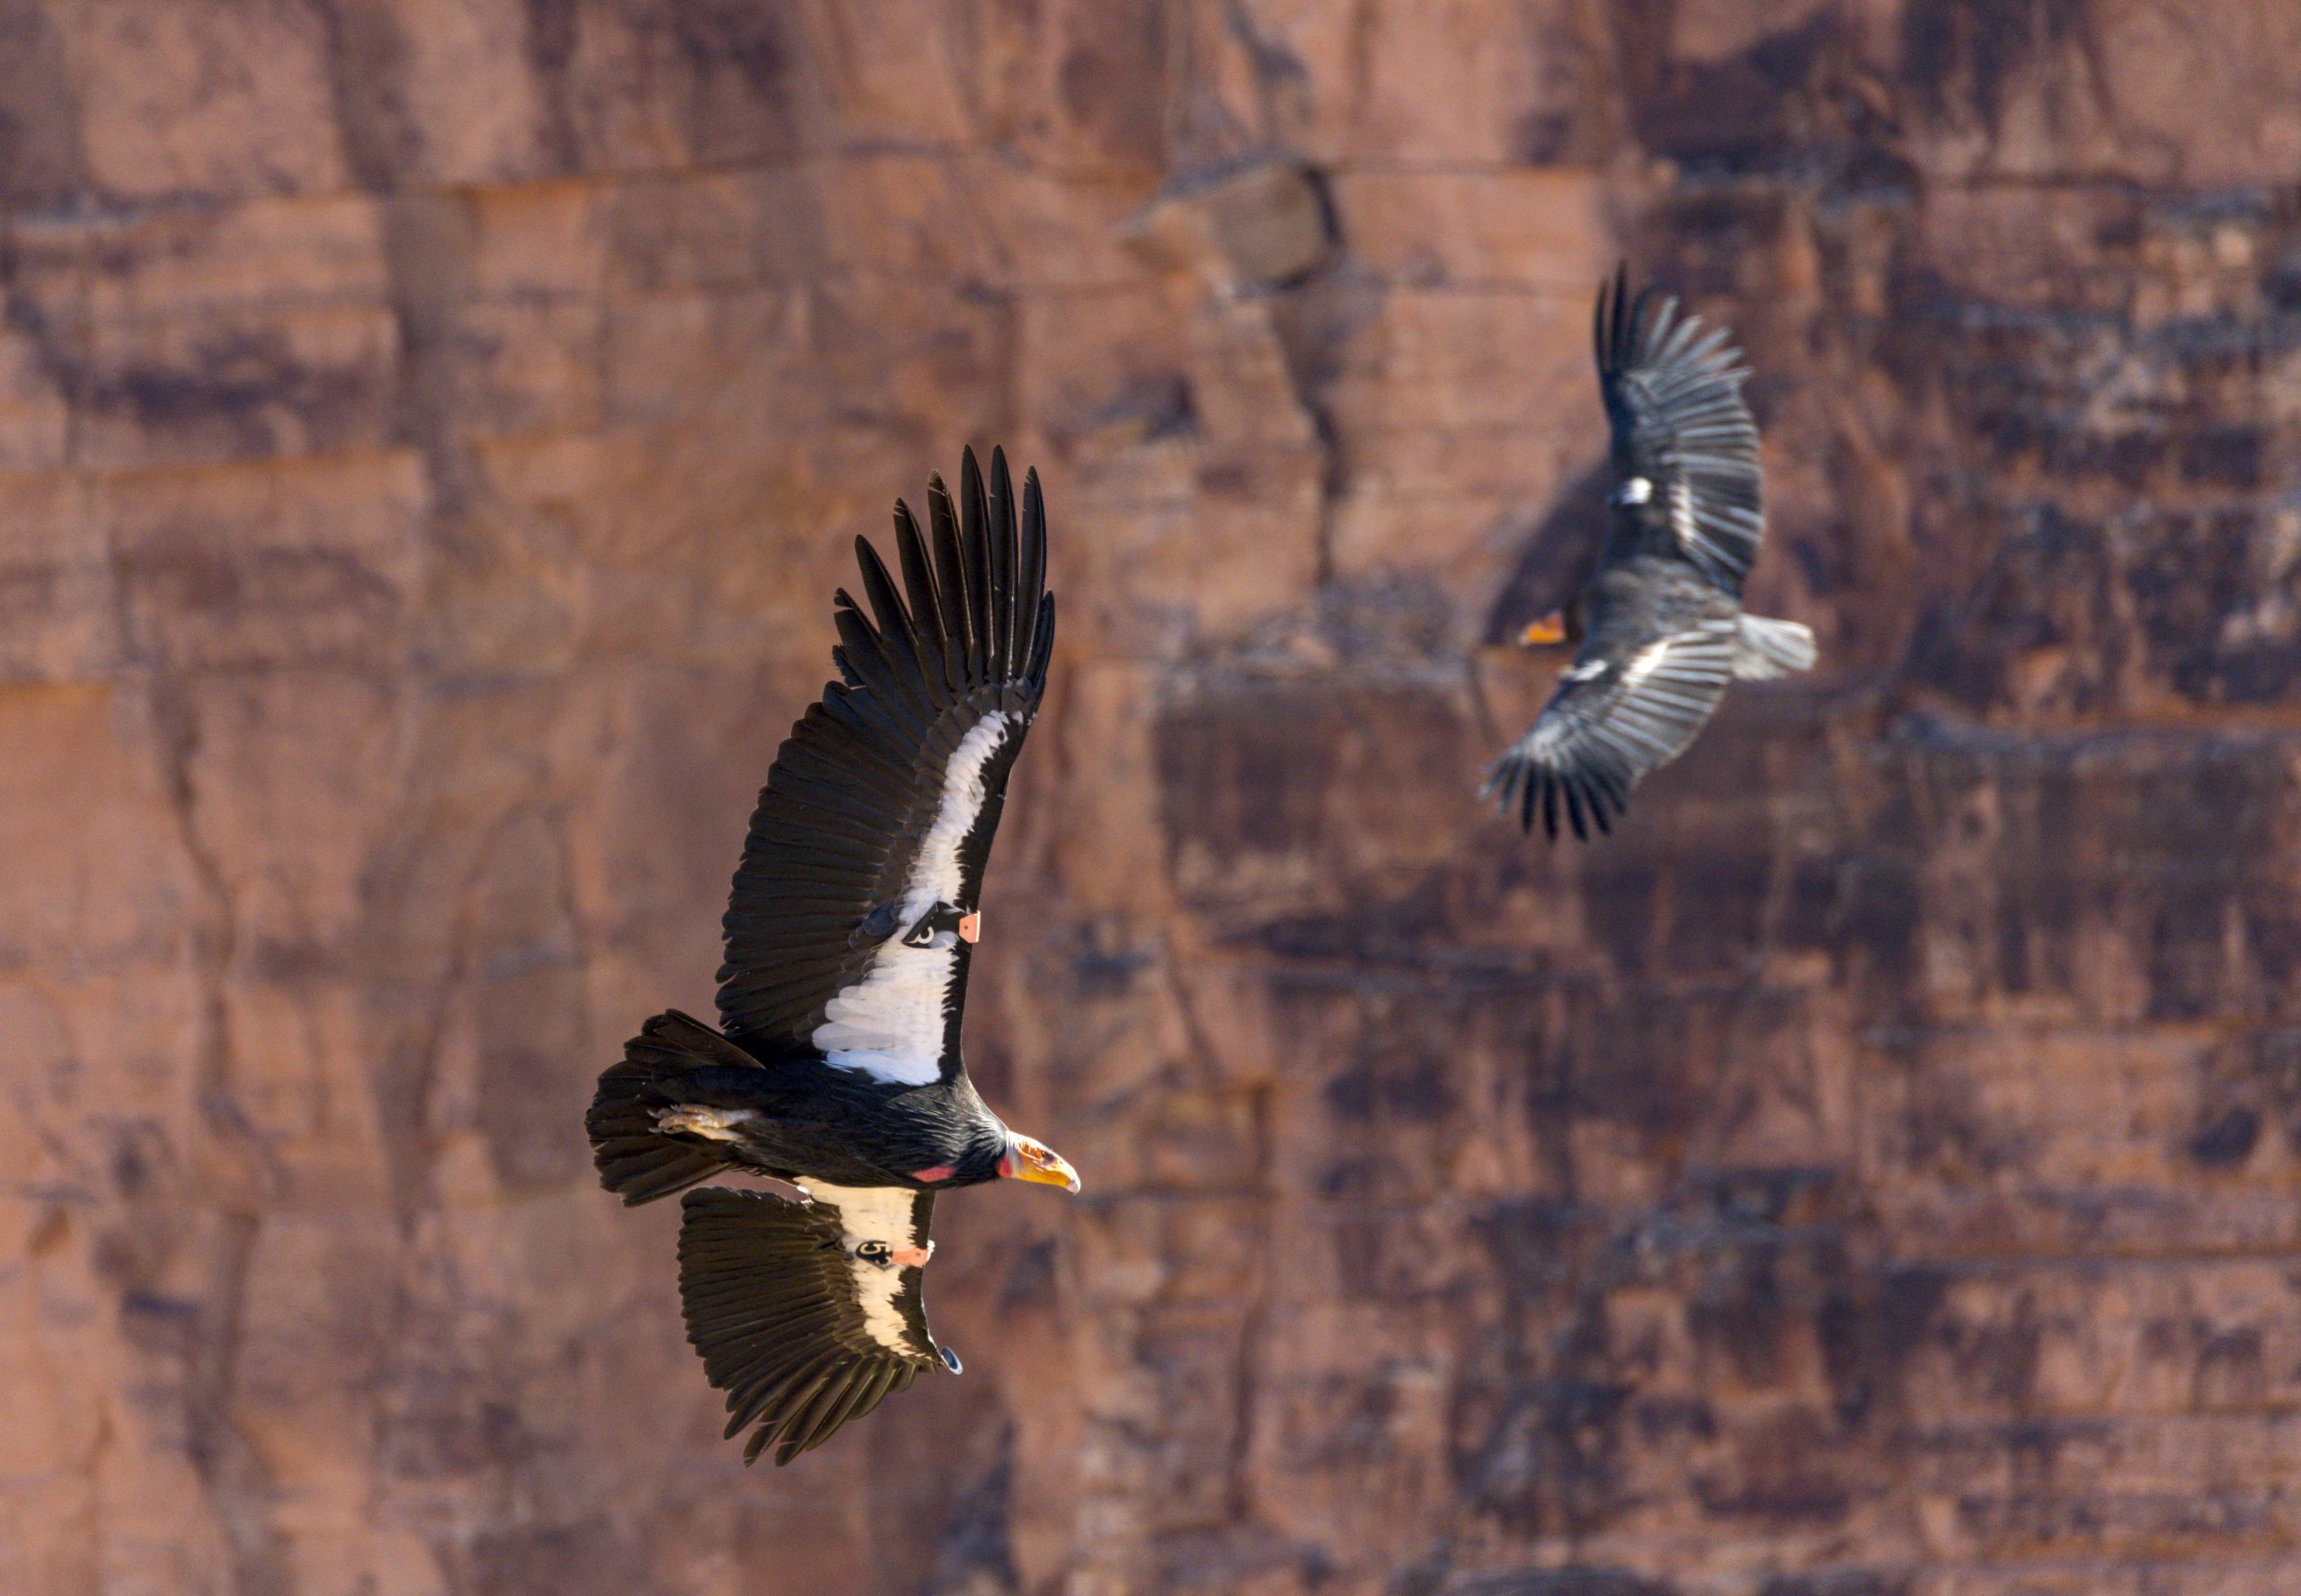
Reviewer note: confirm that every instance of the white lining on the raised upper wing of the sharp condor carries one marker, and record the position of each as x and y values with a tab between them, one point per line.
892	1022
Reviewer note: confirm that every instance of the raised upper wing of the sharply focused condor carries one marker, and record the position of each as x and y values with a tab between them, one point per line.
869	843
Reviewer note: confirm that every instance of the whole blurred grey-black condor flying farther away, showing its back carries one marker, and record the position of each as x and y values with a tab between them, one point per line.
1660	629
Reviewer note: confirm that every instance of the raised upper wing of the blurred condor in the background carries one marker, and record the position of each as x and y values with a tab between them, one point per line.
1685	450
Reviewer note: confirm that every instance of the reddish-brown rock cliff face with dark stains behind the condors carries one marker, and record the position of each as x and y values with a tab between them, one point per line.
429	436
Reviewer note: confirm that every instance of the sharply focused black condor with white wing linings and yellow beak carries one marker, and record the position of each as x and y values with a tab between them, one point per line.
853	921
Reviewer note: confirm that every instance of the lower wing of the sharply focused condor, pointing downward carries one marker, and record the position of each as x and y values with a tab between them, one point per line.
807	1312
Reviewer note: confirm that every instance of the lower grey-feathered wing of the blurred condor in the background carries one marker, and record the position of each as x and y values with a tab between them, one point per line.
1614	716
